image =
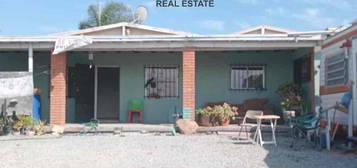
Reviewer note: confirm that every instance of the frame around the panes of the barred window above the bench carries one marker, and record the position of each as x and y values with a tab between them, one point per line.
247	66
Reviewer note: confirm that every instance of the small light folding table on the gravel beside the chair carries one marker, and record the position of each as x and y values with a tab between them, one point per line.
272	119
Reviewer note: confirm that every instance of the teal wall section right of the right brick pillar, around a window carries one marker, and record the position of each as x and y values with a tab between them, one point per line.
213	75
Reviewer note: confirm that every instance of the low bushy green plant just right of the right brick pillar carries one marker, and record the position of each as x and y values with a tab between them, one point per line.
218	113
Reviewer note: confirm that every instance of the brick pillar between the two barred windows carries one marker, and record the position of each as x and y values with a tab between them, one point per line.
188	74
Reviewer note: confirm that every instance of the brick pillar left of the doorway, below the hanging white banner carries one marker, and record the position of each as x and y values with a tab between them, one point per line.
58	89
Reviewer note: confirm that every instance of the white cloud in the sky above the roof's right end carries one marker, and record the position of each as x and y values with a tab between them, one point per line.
314	17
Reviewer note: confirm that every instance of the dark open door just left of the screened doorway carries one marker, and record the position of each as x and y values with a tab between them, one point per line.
84	93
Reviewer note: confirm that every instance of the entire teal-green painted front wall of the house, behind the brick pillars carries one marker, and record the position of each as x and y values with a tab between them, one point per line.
212	74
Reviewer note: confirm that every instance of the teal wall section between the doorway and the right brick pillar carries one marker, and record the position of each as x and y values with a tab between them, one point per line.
131	66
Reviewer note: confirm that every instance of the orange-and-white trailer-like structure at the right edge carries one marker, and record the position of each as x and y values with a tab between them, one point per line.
338	66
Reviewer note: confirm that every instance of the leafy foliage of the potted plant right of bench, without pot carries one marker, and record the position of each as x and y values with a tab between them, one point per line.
291	95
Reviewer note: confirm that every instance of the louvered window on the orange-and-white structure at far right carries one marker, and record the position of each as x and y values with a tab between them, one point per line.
336	70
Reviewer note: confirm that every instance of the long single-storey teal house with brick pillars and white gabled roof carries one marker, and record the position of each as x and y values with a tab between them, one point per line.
172	71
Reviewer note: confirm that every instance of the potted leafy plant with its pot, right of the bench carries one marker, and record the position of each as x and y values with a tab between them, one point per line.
291	95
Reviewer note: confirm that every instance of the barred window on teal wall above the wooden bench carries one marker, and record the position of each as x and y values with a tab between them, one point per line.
248	77
